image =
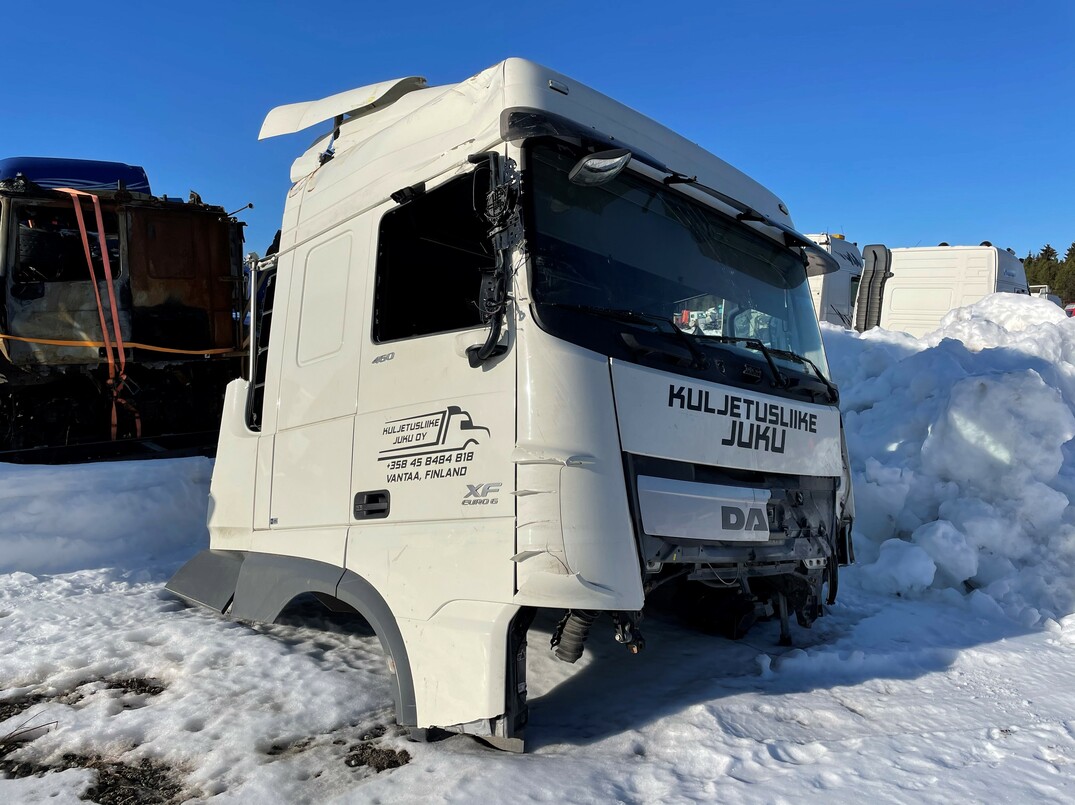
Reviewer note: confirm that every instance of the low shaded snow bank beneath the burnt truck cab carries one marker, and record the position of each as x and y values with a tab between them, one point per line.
119	514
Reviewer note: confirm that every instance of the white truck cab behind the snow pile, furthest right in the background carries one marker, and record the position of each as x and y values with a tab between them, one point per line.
914	289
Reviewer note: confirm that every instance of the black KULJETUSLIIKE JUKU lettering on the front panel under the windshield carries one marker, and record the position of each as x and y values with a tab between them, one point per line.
753	425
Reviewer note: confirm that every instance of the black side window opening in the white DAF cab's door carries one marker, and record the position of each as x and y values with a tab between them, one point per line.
431	255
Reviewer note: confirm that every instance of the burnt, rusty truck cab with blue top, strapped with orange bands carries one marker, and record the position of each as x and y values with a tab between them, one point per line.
101	279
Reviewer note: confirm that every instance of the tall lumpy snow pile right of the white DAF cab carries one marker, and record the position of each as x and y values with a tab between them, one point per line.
959	443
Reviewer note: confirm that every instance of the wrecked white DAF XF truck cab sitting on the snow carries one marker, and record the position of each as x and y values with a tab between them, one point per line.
521	349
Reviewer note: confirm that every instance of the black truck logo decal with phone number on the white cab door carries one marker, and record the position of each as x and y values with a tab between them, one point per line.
431	447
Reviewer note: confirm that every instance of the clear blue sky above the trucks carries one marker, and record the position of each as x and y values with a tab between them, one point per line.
898	123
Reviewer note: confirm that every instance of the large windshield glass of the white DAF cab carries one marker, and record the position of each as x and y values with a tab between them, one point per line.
633	245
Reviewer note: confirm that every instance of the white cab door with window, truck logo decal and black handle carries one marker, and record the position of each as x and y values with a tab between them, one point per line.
434	479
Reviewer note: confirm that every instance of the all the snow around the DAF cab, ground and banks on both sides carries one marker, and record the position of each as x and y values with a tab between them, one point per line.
945	673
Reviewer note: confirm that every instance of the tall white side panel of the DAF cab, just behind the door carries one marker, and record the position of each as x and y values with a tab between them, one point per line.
314	414
